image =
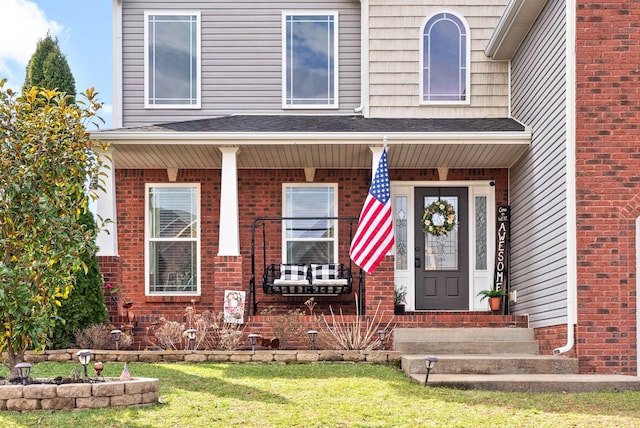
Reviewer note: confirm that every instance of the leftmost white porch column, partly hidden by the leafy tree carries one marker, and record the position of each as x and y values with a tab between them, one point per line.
105	207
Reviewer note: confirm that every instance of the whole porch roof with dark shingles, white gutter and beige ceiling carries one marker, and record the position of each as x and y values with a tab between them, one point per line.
280	142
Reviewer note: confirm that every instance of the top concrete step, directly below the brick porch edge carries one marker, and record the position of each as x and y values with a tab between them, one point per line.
478	340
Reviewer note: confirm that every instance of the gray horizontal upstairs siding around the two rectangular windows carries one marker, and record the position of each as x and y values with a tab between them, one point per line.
241	58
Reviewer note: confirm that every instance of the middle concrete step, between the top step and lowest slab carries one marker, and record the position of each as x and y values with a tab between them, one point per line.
492	364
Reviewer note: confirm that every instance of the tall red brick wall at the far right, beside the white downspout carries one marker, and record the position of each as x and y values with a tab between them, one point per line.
607	164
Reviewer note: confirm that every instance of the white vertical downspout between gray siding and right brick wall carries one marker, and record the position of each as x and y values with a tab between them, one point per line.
572	287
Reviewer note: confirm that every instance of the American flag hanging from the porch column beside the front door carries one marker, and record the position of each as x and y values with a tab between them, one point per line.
374	236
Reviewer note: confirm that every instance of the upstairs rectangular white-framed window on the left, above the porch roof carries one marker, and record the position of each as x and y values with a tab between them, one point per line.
172	59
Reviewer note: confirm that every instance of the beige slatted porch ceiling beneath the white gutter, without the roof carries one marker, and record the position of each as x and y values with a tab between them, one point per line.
332	156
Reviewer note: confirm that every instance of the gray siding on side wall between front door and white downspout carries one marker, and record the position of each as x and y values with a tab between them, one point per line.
538	179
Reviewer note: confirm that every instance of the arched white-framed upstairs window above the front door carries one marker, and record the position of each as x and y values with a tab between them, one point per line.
445	60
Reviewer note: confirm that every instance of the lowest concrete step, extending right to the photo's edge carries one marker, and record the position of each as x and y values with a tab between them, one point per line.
569	383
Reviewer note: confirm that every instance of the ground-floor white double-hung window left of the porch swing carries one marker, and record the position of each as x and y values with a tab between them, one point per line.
172	247
